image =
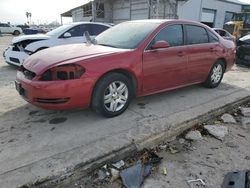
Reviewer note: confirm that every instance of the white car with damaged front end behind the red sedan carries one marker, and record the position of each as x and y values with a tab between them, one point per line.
26	45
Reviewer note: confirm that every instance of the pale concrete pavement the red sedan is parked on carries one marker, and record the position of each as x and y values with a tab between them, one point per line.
36	143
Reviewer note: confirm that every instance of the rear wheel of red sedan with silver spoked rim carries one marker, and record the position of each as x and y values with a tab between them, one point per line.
215	75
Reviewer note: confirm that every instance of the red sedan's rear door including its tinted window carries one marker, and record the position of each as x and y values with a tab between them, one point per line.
202	46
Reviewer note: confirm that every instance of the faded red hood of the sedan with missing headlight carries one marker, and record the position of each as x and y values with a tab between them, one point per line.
44	59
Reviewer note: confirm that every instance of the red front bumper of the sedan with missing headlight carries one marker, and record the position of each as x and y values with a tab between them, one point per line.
55	95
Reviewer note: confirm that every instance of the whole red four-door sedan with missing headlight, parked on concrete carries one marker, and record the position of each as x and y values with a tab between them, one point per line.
134	58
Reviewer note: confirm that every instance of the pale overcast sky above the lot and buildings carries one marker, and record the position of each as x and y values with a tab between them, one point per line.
43	11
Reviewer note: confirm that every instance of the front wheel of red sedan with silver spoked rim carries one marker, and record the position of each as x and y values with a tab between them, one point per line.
117	100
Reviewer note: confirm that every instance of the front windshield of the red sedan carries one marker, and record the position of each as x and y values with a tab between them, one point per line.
126	35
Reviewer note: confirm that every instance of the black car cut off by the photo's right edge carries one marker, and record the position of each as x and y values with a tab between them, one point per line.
243	51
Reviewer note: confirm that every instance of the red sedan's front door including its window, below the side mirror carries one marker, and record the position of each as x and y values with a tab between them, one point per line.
165	68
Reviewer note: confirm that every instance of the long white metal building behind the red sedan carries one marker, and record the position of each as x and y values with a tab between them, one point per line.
211	12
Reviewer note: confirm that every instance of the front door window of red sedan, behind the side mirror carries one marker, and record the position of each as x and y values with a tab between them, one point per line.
172	34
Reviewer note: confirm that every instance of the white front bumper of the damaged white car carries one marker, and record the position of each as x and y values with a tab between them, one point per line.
14	57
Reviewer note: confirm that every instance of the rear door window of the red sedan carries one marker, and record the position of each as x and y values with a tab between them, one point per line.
196	34
